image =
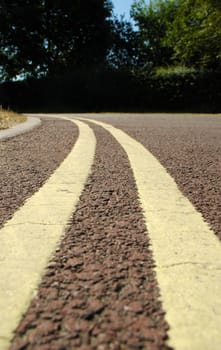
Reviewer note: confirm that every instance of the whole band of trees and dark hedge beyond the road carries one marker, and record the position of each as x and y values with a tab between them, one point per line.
78	56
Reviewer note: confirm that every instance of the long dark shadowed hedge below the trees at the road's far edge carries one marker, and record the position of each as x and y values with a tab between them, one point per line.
112	90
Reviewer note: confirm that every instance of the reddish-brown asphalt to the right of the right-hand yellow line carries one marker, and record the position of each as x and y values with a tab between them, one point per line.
189	147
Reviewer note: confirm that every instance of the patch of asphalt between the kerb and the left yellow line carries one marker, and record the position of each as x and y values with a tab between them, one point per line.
29	159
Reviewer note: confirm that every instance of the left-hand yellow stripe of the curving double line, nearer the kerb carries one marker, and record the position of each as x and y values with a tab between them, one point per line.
29	239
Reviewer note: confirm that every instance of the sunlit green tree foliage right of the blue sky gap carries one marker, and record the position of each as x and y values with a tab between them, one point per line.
181	32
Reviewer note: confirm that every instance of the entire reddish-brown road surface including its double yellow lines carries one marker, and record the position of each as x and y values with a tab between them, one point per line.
110	238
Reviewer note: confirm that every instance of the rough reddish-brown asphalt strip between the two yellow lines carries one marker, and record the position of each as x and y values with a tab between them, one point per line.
99	291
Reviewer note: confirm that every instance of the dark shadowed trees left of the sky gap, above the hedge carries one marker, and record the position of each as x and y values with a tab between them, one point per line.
52	36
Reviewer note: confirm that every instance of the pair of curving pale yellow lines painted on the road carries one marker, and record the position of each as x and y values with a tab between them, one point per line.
186	251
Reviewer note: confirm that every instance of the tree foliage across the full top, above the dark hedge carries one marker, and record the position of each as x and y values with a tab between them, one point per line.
54	37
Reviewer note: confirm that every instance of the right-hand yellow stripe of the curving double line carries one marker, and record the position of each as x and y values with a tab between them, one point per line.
186	251
